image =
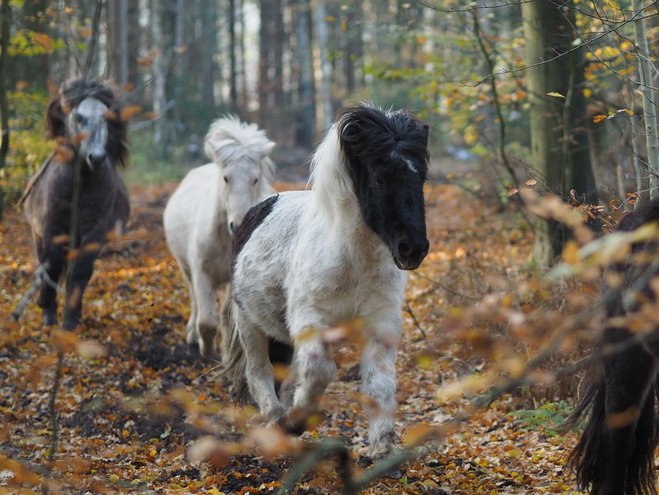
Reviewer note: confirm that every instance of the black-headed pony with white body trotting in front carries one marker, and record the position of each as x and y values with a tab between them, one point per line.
306	261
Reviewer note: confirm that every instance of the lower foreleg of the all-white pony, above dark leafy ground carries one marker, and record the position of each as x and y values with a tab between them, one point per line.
207	320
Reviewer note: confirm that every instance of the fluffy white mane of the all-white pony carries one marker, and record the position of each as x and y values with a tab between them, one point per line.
229	140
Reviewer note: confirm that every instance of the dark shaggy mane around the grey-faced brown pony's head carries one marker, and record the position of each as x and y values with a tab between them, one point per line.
71	94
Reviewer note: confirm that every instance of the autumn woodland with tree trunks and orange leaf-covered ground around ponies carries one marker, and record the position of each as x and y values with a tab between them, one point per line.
521	97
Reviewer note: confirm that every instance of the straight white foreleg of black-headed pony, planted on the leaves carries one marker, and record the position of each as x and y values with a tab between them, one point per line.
378	373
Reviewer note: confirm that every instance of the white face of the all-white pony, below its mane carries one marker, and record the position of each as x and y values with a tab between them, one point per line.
241	191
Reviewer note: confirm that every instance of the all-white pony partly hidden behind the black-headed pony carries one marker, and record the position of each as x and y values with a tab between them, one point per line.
205	211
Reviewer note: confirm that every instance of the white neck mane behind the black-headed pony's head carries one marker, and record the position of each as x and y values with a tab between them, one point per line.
332	184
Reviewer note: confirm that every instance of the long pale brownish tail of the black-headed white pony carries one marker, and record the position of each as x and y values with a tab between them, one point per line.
233	355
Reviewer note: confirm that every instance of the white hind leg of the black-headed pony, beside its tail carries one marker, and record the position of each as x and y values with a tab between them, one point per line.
258	369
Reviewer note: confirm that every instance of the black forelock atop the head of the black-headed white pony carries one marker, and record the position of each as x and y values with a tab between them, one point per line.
370	134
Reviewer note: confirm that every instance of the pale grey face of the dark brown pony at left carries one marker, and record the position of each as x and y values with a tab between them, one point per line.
89	126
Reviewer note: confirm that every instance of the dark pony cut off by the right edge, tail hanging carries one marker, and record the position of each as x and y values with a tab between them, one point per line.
615	455
